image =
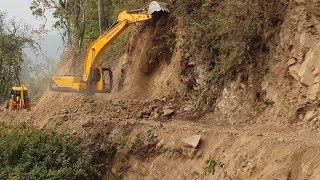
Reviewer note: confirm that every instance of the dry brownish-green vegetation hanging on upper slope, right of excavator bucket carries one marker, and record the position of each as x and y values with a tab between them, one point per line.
230	36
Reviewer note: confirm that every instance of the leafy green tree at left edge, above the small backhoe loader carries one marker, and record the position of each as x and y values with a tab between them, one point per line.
13	38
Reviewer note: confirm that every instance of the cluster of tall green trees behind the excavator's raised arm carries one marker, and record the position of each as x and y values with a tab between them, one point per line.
78	20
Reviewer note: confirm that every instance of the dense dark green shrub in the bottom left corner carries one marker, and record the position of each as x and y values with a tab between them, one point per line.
29	154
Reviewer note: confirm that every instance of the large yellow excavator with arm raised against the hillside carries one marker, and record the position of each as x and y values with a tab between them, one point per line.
96	79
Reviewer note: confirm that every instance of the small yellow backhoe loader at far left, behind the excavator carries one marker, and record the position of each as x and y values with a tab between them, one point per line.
19	99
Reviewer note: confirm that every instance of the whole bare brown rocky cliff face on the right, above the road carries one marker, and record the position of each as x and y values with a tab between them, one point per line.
290	88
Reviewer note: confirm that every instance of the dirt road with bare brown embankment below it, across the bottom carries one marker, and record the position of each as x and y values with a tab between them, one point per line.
153	149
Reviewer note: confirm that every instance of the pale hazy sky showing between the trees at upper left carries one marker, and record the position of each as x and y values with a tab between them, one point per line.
20	10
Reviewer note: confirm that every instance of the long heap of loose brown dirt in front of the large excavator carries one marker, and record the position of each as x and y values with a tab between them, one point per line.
82	108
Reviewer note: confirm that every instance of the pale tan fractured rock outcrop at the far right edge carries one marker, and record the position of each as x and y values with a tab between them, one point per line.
304	64
